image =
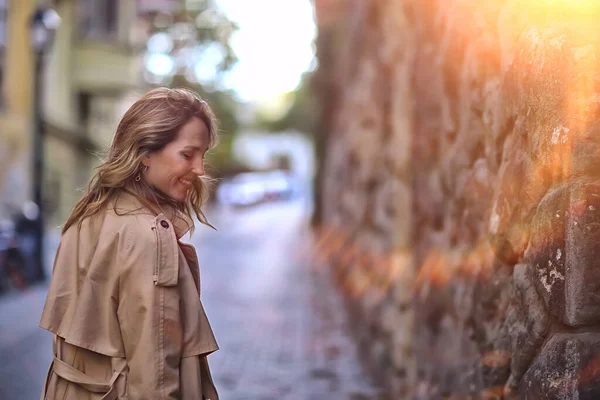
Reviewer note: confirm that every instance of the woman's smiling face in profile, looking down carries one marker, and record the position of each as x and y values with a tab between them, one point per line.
173	169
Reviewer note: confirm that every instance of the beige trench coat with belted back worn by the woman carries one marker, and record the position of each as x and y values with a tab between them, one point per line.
124	305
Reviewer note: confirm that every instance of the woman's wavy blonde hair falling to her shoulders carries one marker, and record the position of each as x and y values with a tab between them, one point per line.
151	123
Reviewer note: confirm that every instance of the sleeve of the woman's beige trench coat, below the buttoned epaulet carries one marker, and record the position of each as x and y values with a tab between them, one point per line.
149	316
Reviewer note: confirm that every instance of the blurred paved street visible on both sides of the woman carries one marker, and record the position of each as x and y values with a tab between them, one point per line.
281	329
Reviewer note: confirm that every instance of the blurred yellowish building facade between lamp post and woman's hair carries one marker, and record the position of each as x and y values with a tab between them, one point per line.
89	72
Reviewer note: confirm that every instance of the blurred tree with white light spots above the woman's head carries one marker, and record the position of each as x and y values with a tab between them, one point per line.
190	47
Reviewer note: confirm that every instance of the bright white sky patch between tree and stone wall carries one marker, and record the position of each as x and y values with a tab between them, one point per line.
274	45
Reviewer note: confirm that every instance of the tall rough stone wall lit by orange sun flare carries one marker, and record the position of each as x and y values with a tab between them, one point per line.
462	195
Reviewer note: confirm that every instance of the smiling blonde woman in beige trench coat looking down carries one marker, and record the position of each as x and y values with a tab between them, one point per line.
124	301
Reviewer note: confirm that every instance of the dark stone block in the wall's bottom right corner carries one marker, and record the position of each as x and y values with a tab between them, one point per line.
567	368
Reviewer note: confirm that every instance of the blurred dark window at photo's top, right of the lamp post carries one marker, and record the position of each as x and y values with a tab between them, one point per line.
99	19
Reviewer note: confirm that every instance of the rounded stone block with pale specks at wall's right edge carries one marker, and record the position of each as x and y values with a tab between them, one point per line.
565	251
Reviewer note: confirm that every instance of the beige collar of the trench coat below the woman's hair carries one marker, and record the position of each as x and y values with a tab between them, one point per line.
126	202
